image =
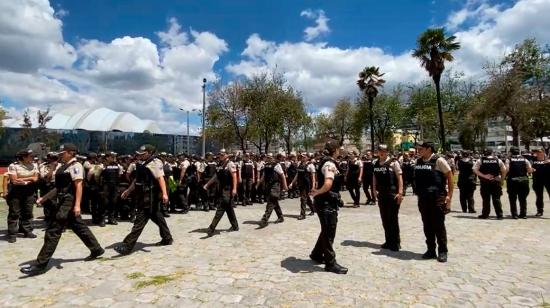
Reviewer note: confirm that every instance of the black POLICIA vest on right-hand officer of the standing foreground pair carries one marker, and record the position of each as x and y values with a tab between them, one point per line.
428	180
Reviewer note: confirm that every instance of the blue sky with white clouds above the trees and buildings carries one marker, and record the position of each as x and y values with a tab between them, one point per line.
149	57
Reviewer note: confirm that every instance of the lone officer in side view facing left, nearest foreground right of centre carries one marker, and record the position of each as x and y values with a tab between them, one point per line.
327	201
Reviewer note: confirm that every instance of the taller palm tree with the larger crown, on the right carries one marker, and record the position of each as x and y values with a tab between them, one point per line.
433	49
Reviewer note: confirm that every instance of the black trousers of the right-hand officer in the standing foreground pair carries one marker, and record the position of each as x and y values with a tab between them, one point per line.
433	219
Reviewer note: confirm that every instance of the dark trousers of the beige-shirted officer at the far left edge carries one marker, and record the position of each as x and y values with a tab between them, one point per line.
20	202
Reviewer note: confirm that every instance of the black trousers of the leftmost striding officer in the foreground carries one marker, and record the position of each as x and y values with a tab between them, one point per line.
65	218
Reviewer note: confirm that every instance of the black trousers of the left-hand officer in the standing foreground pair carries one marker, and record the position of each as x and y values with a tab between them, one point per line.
389	212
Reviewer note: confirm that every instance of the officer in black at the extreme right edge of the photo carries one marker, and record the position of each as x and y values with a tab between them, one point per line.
541	179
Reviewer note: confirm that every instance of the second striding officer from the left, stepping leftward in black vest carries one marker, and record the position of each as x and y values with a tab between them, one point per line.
150	191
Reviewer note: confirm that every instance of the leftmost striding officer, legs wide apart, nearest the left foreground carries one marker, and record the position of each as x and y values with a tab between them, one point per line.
68	188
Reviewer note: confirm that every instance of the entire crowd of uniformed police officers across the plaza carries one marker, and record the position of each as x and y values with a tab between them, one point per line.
151	186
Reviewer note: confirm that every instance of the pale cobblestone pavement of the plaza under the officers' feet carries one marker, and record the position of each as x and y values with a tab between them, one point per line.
491	263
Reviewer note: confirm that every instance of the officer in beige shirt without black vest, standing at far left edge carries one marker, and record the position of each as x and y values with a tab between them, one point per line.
23	176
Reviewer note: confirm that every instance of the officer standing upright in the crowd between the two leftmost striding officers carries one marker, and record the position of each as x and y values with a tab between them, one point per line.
109	181
